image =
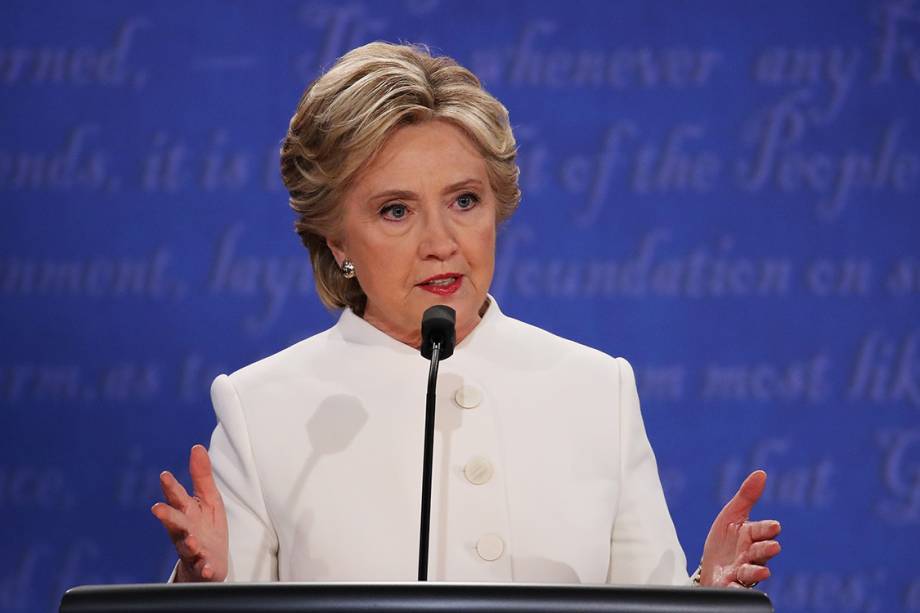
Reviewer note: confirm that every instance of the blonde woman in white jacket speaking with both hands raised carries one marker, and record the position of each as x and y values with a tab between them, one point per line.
401	168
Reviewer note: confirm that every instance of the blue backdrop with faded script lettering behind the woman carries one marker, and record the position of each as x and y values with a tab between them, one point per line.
726	193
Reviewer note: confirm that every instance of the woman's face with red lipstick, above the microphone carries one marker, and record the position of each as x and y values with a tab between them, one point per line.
419	226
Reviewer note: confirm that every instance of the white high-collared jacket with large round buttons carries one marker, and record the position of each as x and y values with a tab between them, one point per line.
318	455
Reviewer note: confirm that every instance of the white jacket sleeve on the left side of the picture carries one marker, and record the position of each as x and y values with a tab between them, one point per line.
253	540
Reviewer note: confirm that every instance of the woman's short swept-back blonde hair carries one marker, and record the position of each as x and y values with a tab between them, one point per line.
345	116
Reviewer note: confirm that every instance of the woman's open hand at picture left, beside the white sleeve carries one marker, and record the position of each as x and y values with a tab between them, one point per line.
196	524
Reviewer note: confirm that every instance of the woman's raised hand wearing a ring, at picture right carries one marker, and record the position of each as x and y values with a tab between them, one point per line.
737	550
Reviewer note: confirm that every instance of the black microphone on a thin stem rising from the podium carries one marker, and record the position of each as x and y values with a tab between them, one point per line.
438	337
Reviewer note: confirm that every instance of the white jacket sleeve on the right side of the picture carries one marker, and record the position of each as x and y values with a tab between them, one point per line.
644	548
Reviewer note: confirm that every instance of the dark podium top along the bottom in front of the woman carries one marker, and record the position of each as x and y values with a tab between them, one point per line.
408	597
